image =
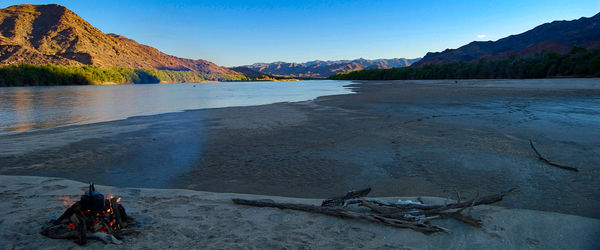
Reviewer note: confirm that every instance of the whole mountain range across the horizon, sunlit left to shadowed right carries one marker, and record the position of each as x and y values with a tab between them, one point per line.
42	34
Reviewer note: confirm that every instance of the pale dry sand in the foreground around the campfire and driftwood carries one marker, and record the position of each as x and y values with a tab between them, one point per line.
172	218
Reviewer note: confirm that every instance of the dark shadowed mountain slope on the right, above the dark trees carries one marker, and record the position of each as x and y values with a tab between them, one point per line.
559	36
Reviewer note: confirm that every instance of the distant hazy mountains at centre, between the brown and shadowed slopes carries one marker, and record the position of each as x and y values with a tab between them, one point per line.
322	69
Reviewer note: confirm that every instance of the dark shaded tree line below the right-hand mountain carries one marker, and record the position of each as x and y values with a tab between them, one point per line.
578	62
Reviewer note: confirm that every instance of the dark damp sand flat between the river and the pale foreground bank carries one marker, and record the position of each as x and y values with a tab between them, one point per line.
403	138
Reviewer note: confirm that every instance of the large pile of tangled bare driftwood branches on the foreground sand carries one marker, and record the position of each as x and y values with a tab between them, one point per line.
412	215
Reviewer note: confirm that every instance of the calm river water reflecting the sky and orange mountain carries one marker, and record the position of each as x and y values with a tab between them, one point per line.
29	108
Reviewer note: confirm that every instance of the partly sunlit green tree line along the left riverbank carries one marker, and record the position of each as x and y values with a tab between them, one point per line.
50	74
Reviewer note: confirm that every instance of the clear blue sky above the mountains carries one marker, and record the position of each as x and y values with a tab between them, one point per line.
233	33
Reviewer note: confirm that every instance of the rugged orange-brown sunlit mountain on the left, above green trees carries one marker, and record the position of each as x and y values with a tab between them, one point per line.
42	34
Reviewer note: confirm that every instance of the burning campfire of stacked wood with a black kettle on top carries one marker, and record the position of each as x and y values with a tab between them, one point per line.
92	216
